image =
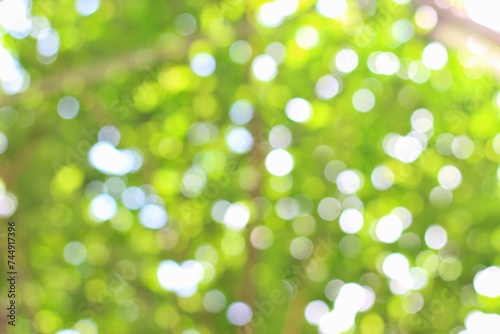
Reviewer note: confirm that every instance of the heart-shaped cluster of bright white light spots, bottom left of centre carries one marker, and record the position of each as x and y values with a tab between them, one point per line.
183	279
